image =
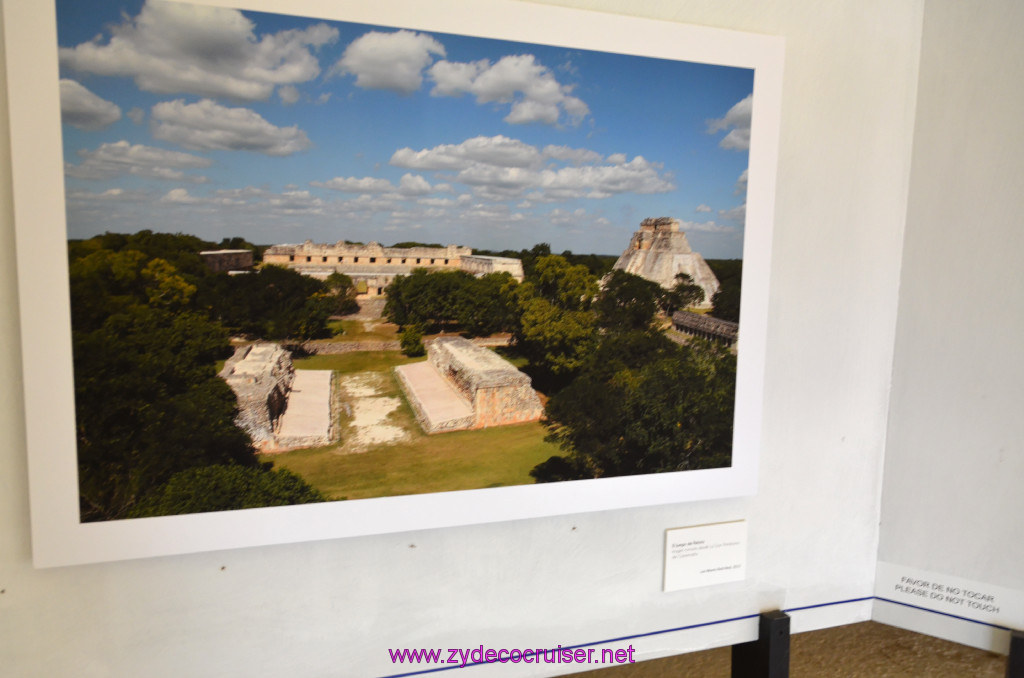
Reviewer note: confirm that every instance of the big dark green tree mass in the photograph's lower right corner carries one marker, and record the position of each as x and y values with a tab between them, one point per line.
644	405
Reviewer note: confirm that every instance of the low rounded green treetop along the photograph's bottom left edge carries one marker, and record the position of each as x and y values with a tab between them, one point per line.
225	489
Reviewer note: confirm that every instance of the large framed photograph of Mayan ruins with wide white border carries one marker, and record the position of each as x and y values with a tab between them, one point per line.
319	270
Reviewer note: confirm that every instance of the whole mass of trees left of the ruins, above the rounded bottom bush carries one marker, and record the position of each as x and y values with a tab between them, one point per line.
147	332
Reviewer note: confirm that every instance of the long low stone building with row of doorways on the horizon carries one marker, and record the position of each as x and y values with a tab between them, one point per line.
373	267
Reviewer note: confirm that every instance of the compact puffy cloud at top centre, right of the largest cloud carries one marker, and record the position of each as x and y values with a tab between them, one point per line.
390	61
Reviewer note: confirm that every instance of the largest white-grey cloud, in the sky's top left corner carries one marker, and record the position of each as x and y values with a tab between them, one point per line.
175	48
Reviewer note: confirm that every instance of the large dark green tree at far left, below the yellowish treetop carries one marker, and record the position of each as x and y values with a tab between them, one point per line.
149	404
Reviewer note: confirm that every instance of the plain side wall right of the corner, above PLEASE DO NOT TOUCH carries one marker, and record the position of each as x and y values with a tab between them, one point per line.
956	448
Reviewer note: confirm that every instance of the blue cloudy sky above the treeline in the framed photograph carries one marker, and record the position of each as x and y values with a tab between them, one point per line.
216	122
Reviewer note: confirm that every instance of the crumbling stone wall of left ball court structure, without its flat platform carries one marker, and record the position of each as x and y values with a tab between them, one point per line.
262	376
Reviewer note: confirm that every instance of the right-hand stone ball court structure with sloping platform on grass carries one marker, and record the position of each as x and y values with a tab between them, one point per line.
465	387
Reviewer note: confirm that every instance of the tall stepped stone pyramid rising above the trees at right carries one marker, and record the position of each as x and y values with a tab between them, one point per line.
660	250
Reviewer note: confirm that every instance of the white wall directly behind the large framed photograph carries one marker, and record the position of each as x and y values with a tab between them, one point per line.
332	609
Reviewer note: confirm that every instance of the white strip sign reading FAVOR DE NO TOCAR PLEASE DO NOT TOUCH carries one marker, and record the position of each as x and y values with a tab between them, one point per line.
952	596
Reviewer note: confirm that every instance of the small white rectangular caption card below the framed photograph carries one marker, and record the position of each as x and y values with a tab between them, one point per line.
704	556
